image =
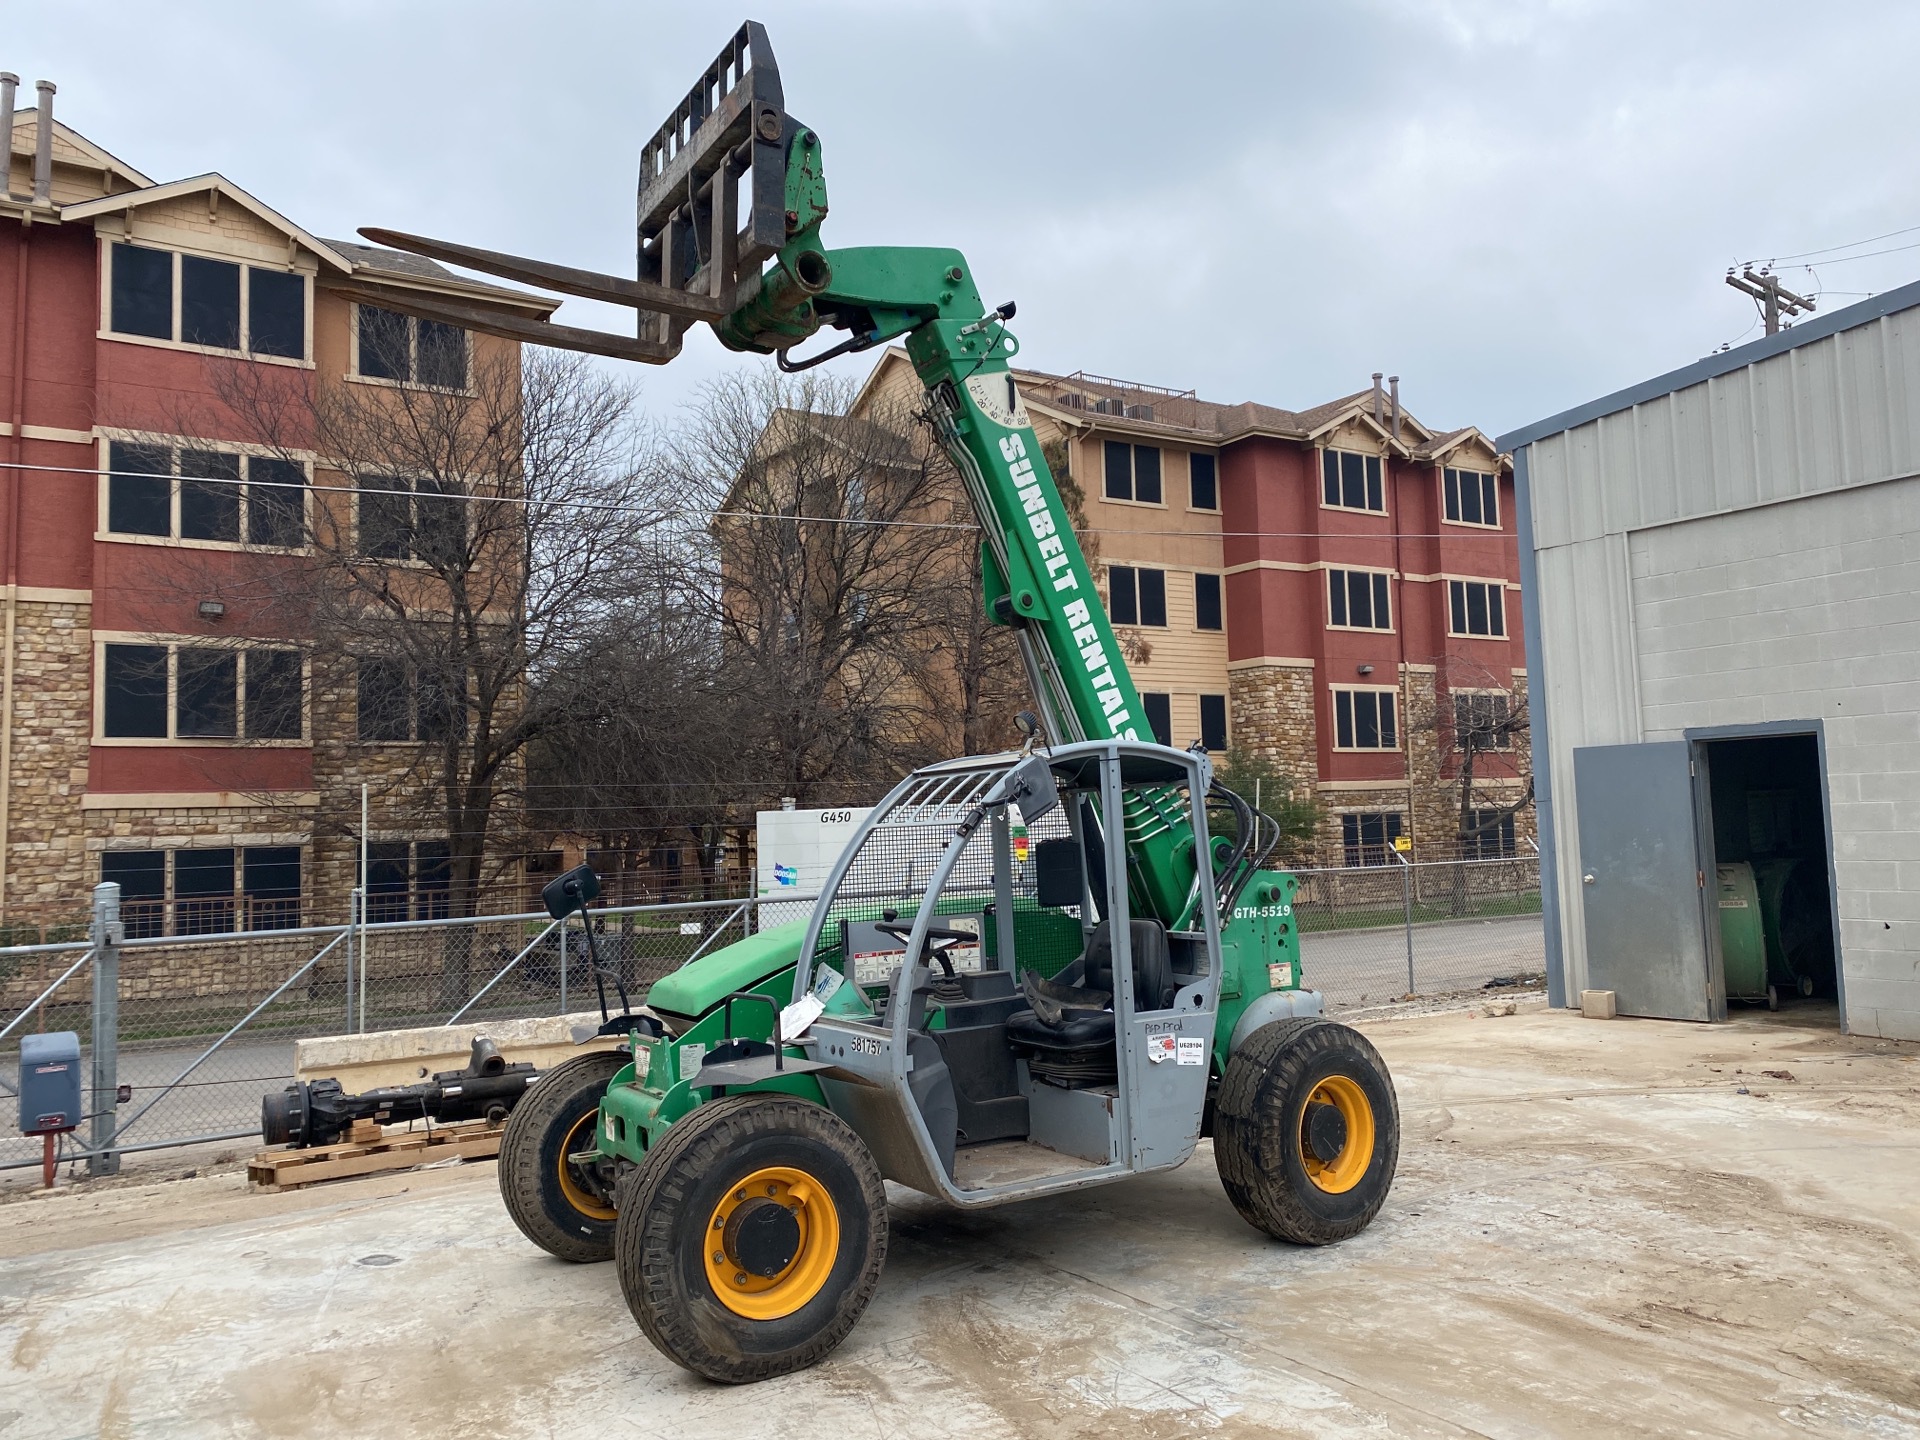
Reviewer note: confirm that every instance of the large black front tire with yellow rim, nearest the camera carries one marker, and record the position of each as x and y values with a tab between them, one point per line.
671	1209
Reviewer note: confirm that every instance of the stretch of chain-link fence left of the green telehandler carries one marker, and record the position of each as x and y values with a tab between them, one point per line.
203	1026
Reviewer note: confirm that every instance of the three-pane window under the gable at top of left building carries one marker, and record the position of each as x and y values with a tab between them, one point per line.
222	304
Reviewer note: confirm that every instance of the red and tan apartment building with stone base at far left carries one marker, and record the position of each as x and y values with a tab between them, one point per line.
153	734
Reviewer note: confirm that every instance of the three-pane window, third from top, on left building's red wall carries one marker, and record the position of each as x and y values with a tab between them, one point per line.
199	692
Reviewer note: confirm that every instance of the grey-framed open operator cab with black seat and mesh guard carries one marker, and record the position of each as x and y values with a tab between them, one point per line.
1005	1009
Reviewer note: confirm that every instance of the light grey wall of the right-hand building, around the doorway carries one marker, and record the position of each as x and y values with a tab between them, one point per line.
1662	533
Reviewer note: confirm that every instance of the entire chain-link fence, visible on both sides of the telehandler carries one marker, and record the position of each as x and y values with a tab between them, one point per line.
204	1024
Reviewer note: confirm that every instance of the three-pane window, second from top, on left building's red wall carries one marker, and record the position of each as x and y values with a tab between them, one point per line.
181	492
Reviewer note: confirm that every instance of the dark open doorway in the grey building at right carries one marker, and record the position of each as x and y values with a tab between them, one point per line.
1773	873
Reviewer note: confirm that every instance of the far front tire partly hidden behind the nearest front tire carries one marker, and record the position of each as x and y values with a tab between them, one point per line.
556	1116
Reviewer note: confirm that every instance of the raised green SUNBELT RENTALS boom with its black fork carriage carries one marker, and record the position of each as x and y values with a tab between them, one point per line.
734	181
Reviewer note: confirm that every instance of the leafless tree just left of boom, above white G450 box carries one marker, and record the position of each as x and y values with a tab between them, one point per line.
830	535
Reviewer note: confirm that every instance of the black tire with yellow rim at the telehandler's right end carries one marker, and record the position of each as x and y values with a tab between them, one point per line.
1284	1176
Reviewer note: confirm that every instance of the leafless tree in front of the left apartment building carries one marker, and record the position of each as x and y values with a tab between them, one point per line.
464	544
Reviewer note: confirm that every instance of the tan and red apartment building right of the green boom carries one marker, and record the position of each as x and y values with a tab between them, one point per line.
1333	588
